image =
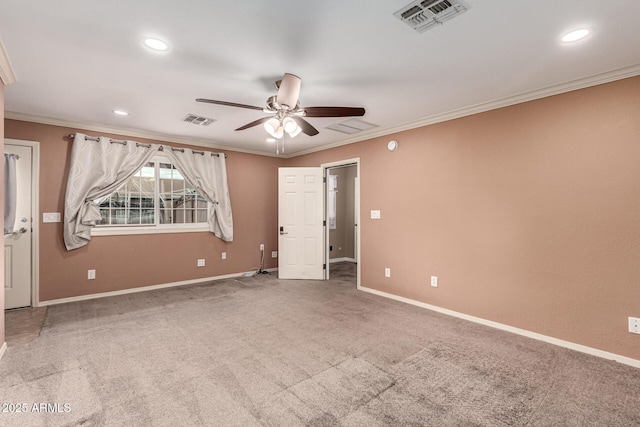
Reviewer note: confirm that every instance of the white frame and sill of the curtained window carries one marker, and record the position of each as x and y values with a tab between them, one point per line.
121	230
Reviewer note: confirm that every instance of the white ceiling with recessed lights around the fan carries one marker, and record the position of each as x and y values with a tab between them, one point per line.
77	60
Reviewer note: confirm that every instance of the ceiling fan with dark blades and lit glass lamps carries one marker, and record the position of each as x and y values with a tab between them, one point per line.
287	115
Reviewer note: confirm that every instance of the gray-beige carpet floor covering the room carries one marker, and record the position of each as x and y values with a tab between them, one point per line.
259	351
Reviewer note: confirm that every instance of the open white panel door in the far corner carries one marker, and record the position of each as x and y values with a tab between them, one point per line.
300	219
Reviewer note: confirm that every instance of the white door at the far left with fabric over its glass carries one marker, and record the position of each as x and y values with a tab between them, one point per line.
17	246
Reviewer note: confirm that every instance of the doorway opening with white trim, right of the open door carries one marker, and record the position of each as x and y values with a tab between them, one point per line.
342	215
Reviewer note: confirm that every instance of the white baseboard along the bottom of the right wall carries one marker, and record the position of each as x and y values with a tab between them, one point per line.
551	340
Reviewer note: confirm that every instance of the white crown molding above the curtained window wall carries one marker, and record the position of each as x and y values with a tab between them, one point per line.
135	133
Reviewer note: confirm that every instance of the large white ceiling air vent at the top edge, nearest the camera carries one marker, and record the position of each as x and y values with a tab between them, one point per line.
422	15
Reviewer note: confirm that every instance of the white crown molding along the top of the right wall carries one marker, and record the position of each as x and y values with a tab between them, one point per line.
582	83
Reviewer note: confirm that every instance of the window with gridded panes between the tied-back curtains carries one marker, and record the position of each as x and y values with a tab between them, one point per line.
155	199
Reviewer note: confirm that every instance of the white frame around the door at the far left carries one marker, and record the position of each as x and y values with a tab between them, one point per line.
35	221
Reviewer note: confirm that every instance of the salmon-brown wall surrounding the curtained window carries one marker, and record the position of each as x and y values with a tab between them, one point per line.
123	262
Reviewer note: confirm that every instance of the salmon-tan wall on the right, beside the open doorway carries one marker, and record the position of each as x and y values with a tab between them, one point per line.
529	215
